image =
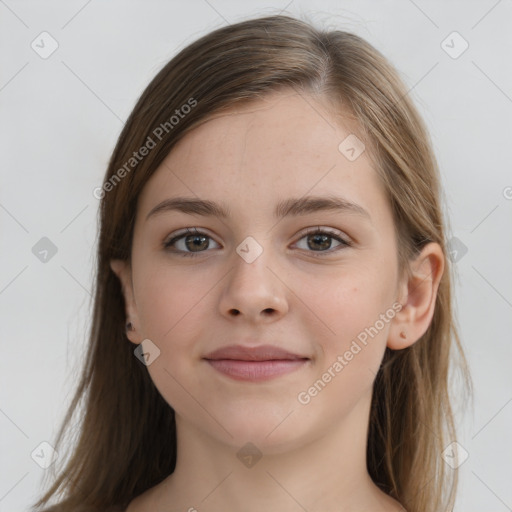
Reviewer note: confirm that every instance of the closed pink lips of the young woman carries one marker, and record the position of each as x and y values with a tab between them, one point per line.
254	363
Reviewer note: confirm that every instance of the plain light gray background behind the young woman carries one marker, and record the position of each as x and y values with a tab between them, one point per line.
59	121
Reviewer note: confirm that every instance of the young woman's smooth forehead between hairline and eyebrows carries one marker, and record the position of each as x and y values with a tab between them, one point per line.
285	144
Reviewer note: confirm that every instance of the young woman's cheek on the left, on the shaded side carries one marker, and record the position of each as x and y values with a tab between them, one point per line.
172	307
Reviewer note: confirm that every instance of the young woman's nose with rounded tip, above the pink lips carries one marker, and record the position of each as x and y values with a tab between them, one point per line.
254	291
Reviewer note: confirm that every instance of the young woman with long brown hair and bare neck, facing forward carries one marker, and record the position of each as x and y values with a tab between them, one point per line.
273	327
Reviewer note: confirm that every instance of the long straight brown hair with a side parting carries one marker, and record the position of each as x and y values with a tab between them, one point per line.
126	440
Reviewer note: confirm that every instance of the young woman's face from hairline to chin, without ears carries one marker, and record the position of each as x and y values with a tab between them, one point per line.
261	276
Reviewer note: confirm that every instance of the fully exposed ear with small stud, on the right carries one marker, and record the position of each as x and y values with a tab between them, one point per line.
418	298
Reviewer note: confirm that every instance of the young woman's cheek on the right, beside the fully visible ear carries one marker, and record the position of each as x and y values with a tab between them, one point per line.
356	311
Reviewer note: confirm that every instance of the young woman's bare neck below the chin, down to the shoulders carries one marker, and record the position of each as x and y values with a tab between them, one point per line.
321	474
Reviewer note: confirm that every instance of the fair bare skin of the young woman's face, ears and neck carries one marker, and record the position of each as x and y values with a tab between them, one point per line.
314	455
